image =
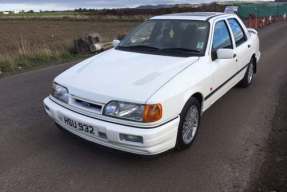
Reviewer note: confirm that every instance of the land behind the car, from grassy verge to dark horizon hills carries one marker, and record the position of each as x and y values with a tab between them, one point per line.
33	39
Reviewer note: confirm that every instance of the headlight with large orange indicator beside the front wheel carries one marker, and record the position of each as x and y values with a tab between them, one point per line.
133	112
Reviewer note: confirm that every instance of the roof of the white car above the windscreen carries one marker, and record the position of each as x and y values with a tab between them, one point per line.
191	16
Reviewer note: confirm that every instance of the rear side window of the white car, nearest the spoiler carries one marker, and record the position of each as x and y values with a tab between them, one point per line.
237	31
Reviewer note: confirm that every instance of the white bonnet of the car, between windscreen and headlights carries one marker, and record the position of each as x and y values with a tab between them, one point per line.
122	75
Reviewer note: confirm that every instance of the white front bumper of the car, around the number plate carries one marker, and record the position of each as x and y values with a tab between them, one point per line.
155	140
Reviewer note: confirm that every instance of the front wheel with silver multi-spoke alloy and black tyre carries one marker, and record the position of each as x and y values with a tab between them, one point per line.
189	124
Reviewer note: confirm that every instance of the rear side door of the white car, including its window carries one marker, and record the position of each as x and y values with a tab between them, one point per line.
242	48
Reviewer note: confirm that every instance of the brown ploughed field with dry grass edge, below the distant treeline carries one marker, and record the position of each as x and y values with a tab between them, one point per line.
26	43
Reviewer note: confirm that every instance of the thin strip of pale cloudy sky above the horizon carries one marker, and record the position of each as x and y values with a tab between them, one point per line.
72	4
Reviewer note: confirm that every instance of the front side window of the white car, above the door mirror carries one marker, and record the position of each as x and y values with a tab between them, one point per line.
221	37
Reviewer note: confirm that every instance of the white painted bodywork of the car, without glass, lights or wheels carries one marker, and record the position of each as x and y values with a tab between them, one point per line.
149	79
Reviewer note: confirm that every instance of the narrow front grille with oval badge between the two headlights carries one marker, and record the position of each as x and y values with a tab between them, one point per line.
87	105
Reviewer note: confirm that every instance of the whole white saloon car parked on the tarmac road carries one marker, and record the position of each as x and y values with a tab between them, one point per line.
147	94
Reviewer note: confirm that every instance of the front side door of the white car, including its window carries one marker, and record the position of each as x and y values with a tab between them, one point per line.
223	68
